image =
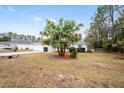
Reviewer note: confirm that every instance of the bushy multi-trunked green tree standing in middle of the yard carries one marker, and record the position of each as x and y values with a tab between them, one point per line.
60	34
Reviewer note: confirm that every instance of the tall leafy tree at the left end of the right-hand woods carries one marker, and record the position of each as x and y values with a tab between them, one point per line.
98	27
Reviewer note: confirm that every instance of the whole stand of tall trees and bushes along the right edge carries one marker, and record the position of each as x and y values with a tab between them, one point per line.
107	29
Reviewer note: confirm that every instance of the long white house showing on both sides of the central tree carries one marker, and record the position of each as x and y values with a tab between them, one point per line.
35	46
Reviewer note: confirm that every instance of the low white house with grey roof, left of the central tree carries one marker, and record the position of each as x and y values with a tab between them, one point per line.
23	44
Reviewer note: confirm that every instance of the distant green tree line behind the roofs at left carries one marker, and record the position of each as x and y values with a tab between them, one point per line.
10	35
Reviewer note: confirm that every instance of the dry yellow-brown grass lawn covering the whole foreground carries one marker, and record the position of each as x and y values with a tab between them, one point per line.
49	70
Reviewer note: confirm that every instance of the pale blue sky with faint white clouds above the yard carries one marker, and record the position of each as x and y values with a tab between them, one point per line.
31	19
